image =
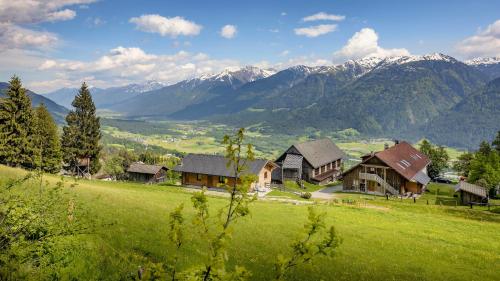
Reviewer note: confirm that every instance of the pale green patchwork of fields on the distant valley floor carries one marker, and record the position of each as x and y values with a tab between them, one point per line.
202	137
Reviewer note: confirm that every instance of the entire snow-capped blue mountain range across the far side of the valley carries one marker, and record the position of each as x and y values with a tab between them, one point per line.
404	97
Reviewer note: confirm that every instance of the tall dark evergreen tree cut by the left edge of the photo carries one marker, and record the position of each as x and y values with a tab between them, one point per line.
16	127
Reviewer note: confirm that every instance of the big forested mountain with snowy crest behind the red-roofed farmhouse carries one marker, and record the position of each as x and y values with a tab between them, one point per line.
396	95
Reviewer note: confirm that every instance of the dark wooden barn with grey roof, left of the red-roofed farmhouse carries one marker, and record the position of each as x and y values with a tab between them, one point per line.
317	162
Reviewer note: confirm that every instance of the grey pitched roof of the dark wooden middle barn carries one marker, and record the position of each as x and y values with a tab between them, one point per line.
319	152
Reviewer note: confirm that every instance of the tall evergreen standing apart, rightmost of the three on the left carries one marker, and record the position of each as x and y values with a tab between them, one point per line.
82	133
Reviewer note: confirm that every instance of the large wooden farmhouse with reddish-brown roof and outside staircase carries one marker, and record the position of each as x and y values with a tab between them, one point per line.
395	170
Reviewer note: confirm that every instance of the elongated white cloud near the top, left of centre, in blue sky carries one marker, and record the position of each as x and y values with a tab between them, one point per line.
166	26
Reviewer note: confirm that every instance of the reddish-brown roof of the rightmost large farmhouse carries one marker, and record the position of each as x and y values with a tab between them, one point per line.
405	159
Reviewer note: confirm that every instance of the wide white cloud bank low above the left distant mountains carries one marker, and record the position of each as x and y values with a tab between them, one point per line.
125	65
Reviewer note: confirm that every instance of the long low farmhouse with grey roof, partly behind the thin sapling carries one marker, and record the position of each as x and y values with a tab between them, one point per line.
212	171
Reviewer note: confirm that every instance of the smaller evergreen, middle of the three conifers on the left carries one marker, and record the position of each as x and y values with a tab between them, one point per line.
47	141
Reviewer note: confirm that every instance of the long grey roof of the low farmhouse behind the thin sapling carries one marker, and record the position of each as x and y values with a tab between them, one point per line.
216	165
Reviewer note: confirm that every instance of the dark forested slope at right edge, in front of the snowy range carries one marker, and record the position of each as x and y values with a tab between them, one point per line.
471	121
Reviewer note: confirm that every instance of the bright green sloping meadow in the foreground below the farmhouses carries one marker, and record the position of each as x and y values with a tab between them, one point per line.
382	240
